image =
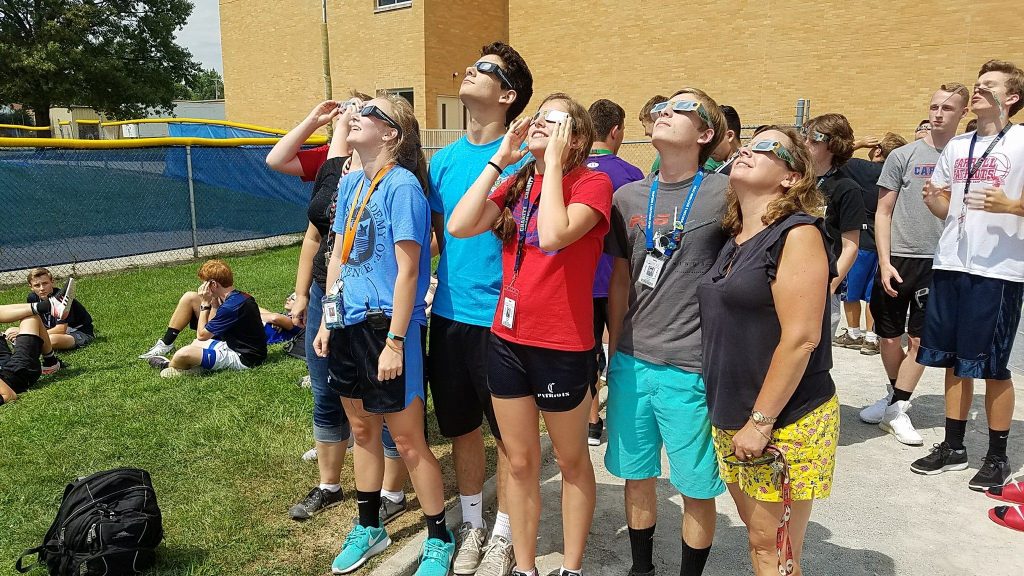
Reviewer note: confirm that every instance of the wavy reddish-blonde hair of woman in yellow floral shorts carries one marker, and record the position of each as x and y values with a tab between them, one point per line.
802	197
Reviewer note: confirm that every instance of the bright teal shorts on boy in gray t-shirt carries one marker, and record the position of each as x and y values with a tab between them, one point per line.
652	406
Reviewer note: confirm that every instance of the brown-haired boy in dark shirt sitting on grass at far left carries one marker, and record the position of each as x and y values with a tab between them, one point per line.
72	333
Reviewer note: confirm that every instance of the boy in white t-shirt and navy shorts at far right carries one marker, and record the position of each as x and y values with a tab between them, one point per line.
978	285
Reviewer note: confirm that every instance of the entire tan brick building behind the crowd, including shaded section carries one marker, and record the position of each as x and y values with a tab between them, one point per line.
876	61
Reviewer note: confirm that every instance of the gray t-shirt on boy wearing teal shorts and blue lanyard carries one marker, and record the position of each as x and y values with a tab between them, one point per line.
663	324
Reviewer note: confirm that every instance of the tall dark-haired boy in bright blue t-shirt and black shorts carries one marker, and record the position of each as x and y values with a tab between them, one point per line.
496	91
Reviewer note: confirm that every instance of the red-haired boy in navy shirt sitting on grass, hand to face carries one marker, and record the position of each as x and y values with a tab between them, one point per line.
228	323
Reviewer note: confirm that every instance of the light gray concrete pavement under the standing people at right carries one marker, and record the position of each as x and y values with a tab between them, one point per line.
882	519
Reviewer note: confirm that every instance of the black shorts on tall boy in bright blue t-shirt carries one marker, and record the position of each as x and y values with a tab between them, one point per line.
458	368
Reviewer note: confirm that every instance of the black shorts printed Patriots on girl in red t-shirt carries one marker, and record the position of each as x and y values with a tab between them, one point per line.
559	381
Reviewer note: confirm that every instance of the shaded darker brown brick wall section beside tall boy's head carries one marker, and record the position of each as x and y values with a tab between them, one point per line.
456	31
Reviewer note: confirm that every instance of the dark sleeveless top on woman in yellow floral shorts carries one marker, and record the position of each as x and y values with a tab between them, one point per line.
741	330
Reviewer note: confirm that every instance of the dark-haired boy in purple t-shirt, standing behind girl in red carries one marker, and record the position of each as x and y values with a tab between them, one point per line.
610	124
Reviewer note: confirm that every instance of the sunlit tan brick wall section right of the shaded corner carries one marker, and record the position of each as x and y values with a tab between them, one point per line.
877	62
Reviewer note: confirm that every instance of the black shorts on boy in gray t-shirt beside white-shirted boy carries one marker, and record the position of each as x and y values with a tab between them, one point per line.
891	320
